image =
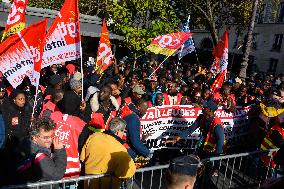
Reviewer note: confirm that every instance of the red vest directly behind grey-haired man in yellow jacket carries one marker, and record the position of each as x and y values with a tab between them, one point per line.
97	123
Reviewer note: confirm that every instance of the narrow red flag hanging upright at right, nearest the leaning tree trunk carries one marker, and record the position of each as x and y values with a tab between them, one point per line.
221	52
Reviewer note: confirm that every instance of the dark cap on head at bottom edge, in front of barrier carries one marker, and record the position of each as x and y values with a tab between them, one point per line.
185	165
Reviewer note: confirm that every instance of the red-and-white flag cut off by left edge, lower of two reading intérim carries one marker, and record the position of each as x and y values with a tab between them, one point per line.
20	53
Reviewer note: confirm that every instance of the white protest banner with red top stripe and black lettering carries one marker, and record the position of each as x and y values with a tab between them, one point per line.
166	122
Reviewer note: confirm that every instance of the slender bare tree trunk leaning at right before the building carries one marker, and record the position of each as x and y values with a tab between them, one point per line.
244	63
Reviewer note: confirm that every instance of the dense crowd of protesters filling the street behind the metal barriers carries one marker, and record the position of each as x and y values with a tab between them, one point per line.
104	115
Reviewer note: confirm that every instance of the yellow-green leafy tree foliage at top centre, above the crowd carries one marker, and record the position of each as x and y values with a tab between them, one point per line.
141	20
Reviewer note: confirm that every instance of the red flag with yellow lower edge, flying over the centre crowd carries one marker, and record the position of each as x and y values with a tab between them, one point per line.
168	44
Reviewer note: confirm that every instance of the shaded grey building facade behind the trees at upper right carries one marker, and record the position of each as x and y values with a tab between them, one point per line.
267	53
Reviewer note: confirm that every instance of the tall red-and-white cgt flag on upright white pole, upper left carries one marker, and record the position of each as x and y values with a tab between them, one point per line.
63	40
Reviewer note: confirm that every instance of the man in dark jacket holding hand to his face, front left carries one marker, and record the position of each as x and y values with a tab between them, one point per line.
41	157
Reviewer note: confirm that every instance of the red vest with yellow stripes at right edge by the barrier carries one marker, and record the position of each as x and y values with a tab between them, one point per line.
267	144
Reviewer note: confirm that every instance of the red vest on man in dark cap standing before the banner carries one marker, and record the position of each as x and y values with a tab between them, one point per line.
210	139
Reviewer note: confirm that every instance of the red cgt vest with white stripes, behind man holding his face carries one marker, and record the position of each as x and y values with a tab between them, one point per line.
68	129
